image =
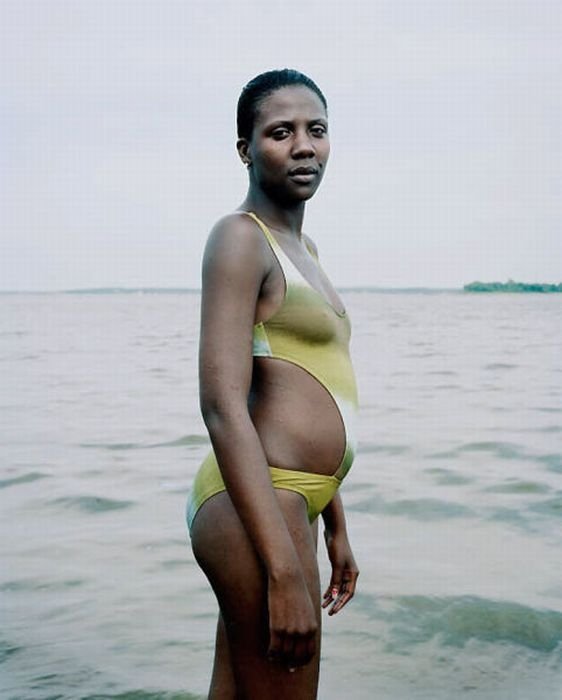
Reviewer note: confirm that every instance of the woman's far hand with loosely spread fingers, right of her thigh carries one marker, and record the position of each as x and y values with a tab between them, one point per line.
344	571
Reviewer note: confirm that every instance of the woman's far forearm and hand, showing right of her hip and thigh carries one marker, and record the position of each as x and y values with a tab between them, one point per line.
344	569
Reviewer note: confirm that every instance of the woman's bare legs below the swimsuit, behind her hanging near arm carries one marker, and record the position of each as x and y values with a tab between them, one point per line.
227	557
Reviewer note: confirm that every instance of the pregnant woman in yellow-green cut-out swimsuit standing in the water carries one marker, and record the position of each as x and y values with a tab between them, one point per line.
277	393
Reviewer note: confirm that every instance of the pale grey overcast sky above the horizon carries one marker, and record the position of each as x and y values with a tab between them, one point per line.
118	131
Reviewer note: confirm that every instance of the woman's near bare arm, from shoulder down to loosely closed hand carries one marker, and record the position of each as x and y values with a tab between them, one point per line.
234	267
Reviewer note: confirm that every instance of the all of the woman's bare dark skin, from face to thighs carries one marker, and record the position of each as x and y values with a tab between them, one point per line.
254	542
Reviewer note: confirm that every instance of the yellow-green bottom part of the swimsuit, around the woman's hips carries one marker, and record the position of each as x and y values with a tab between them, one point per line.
316	489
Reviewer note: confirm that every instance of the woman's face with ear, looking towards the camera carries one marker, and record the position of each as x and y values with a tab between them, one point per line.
289	147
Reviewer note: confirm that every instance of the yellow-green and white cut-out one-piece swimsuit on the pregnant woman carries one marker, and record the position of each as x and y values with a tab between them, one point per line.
310	333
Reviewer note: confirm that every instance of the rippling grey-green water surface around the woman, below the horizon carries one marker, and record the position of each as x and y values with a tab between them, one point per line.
454	502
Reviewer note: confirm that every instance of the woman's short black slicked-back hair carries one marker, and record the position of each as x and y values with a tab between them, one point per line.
261	87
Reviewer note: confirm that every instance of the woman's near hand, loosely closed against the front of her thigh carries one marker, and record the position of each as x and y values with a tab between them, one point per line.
292	621
